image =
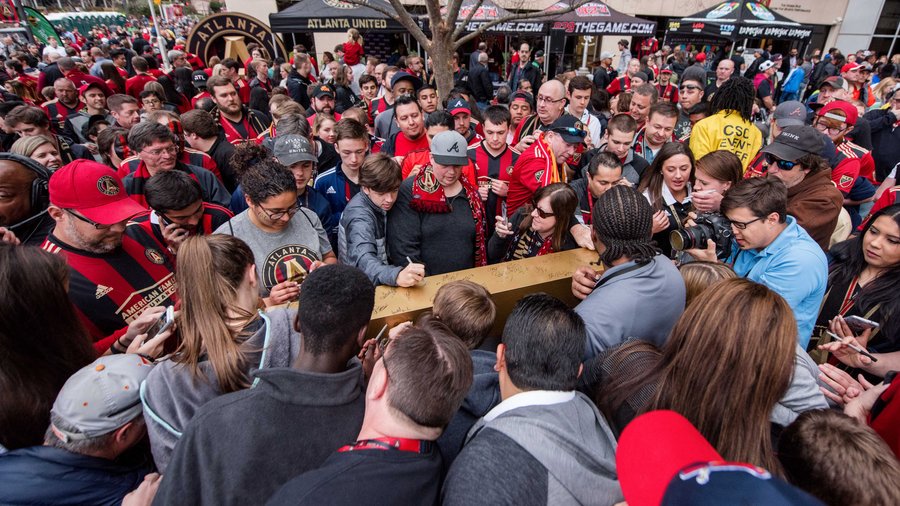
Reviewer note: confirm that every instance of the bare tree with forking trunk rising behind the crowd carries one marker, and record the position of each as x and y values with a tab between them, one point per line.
448	30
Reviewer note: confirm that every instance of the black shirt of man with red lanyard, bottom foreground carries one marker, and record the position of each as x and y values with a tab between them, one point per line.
368	477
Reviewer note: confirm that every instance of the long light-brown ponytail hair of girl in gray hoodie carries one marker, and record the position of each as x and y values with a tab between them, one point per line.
207	296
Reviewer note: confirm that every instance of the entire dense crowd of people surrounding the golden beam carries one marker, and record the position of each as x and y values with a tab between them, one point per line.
190	250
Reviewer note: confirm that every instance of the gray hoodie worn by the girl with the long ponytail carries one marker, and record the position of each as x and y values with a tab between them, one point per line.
171	397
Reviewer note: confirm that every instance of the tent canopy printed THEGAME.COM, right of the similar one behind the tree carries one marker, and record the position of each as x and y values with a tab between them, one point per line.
596	18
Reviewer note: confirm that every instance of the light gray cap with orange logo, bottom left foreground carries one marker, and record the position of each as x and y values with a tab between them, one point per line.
101	397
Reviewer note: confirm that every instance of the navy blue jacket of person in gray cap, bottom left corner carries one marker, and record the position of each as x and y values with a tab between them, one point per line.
48	475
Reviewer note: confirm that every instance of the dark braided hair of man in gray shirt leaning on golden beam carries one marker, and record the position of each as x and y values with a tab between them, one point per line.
623	222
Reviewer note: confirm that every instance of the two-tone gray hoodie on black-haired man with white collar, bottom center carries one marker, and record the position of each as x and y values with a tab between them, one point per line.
562	453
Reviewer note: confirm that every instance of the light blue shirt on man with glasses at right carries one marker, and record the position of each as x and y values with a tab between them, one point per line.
794	267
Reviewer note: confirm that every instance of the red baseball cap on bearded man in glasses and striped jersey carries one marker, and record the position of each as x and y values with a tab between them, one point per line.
94	190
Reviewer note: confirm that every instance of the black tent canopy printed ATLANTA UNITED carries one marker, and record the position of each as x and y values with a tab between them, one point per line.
333	16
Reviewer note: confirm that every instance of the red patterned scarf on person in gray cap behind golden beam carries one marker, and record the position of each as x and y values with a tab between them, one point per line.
428	197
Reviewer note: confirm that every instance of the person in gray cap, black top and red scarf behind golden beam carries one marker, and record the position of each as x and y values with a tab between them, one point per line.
439	220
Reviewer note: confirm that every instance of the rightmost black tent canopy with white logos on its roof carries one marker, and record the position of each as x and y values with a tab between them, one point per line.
739	20
